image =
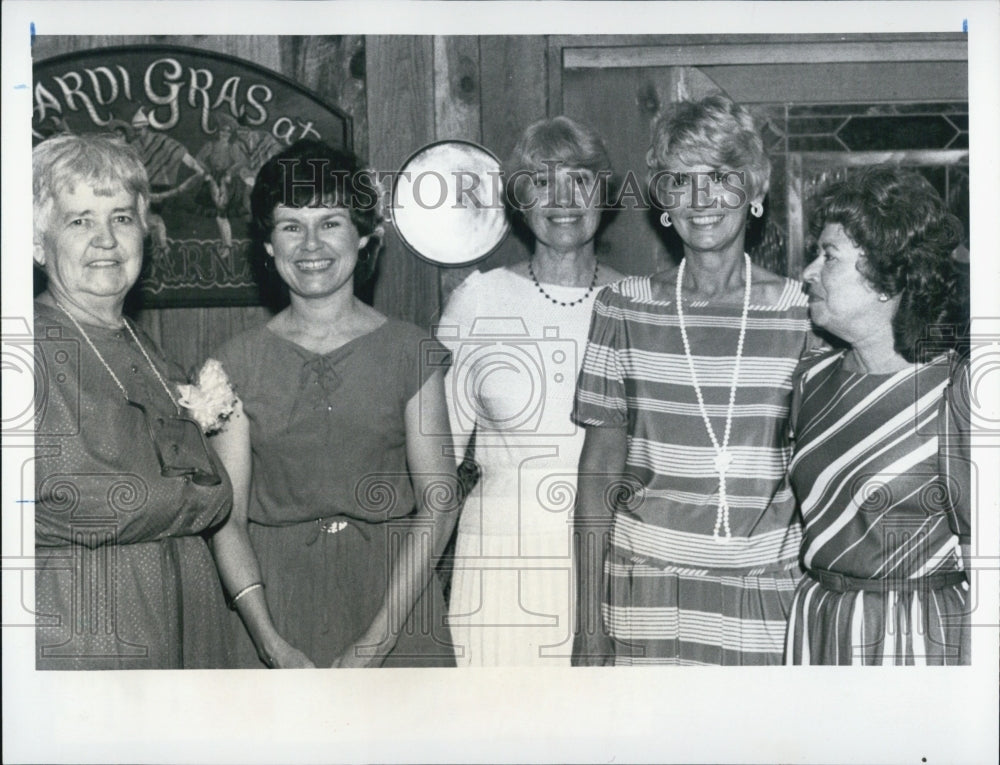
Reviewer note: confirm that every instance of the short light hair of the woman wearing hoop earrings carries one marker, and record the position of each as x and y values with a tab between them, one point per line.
713	131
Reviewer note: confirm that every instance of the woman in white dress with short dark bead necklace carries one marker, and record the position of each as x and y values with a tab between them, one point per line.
517	335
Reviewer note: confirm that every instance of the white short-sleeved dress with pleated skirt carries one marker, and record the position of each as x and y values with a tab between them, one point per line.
515	359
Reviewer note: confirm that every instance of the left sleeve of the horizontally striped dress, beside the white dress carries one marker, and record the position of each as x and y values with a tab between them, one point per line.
600	389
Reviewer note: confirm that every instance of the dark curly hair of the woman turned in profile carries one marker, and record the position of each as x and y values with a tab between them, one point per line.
900	223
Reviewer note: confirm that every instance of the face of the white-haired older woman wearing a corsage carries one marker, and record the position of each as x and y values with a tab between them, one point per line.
91	247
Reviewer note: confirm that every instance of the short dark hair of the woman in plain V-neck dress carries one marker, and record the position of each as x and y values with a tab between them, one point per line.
311	172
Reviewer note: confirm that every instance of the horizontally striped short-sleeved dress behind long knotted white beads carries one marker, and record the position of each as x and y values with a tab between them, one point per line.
676	594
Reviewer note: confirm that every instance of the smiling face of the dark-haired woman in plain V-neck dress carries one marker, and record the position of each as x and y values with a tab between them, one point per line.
315	249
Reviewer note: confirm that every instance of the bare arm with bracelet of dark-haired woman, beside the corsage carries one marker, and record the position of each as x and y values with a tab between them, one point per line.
234	556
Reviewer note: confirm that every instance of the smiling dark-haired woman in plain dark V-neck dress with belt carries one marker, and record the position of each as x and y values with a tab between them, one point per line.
341	486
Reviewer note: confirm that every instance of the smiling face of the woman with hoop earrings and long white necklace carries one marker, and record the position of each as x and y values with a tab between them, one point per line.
708	205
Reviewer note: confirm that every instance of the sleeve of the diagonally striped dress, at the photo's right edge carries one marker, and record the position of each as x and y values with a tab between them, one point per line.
954	458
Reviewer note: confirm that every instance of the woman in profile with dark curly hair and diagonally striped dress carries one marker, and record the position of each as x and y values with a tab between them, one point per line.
880	468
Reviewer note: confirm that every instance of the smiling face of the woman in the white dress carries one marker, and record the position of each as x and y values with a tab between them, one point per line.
562	208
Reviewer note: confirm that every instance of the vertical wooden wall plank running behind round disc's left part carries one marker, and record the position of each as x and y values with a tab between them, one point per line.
400	121
